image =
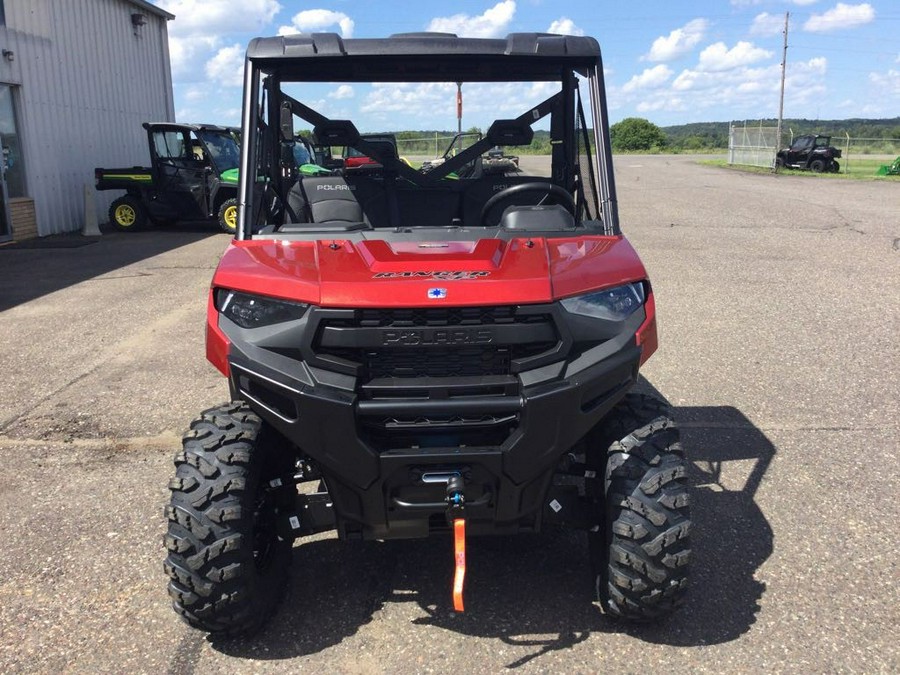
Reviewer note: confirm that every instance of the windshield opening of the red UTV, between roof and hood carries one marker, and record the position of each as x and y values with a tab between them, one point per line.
391	156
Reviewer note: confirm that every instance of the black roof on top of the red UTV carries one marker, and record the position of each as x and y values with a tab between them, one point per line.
423	57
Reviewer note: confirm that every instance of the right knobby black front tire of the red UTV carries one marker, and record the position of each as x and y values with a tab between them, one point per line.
640	552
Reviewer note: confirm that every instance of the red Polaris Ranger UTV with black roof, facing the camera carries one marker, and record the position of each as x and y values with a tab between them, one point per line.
416	354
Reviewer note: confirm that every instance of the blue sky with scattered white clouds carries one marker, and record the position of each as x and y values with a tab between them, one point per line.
669	61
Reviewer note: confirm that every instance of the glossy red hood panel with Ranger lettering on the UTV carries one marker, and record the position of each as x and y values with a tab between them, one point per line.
377	273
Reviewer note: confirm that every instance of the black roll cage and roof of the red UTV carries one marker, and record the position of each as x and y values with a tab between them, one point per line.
581	162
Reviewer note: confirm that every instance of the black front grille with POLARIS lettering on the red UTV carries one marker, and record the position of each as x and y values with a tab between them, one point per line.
436	376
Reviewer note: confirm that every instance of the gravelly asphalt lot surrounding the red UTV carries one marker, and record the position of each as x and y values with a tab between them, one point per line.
777	301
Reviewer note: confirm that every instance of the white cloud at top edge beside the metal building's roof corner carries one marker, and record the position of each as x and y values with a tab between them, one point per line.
211	17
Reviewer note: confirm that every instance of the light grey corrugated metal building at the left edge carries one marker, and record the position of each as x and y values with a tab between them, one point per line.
77	79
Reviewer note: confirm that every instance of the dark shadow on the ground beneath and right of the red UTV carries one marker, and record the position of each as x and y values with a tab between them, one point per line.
535	591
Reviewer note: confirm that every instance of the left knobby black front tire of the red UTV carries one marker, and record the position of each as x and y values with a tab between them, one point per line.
226	563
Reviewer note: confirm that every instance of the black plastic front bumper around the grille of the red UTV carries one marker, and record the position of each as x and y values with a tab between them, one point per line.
386	433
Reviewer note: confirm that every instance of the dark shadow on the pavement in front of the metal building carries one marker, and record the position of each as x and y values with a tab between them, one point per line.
34	268
